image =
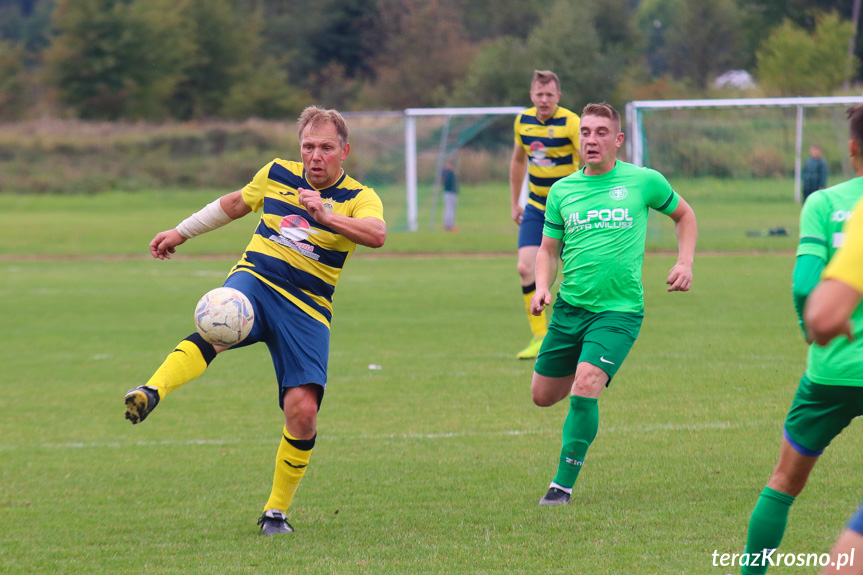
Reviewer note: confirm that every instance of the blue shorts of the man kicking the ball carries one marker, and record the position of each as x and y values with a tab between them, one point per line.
298	343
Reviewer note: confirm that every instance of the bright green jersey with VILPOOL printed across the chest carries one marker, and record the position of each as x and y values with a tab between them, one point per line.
602	221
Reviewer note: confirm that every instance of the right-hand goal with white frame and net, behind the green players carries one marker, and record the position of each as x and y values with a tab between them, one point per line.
738	161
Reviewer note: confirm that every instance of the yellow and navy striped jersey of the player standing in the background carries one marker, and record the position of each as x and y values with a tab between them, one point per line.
552	149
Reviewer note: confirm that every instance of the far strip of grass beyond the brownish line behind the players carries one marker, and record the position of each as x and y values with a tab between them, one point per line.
124	223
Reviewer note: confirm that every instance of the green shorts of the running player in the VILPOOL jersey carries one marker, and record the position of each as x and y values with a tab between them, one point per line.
574	335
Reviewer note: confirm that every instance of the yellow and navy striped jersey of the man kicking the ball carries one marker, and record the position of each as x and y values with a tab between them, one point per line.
290	251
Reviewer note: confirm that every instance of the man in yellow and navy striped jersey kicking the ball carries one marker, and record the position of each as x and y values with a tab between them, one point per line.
312	217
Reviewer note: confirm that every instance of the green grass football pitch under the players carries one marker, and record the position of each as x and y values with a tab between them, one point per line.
433	463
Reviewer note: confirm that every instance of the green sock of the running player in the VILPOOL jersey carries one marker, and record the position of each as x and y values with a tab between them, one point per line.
579	430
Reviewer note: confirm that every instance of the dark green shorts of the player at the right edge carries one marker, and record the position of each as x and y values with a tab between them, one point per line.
819	413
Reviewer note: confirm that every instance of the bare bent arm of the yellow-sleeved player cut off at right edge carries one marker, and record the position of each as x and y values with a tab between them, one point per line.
827	311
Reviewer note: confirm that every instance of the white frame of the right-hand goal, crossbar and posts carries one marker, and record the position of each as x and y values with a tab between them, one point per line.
635	133
